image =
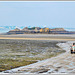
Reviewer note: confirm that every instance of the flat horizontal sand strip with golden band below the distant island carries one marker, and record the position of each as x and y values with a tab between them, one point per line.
60	37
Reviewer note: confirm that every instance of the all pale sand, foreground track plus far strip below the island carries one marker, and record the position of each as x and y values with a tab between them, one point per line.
62	63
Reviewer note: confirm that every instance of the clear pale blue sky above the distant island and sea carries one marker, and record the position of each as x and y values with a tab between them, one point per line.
41	14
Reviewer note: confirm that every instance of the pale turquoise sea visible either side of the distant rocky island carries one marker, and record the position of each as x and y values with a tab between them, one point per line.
4	29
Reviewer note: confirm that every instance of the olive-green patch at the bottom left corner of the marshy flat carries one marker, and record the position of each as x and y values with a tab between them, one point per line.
6	64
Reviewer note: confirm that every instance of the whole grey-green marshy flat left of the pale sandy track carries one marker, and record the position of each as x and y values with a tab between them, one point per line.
16	53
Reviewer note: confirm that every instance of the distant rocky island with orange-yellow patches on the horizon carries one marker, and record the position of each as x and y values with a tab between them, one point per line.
44	30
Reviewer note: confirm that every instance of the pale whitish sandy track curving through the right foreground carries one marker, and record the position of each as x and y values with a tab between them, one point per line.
63	63
